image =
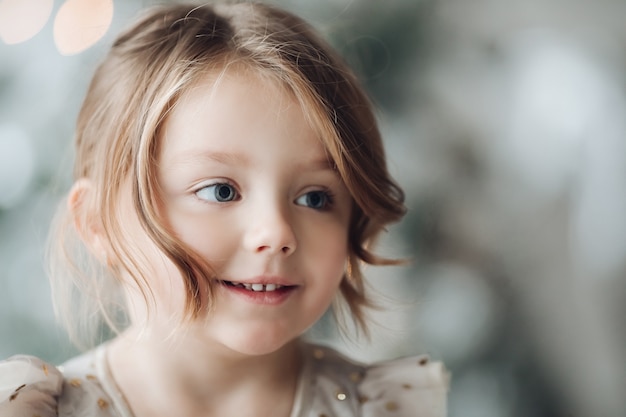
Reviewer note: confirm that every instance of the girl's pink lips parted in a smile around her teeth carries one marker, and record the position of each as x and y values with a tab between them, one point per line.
270	298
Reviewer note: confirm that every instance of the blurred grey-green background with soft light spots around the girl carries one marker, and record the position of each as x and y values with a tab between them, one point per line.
504	122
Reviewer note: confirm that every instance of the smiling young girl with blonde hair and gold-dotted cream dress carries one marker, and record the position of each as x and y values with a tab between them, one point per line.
230	178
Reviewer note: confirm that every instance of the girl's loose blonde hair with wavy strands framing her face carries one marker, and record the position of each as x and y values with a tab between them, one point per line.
148	68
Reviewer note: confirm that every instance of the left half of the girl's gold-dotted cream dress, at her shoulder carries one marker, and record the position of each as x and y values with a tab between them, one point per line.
30	386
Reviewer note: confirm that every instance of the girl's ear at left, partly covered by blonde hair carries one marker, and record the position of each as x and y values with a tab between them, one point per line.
87	219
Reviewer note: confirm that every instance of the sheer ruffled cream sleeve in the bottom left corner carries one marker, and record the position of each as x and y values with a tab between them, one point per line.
29	387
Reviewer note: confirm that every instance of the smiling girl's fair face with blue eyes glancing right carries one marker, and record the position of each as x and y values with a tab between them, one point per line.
247	185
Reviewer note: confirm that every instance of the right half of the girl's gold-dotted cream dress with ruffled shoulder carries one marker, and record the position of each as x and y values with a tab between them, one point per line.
413	386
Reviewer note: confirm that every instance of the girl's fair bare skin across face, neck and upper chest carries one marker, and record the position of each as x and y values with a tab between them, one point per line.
246	184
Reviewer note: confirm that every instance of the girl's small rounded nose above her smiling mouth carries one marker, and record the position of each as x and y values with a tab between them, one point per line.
270	232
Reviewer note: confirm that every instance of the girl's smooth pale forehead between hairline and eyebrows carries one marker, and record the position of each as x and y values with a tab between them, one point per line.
230	110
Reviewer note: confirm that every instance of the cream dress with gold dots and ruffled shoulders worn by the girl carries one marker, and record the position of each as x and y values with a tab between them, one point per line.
329	385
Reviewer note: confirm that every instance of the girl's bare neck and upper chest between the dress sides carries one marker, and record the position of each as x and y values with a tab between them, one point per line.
202	378
